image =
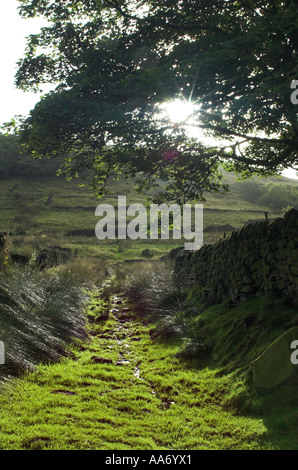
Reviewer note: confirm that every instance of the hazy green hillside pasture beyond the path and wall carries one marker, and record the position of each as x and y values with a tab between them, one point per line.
43	211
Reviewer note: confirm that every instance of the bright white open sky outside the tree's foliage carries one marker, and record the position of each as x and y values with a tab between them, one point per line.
13	32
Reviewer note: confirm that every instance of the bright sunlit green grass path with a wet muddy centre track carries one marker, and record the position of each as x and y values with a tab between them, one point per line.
121	391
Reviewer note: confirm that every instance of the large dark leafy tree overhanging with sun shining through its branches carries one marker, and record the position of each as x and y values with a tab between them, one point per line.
115	61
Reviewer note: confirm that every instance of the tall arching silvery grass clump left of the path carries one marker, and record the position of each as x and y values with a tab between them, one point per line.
41	313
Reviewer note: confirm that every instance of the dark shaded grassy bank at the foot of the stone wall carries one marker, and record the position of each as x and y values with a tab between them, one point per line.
239	333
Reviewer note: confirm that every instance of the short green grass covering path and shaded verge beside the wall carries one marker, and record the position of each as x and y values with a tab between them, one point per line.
125	388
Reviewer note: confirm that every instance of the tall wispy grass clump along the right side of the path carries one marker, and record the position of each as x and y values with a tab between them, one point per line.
155	293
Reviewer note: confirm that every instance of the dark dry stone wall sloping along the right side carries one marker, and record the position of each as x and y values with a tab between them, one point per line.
260	258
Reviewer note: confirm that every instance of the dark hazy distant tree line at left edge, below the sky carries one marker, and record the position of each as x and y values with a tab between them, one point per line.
14	163
